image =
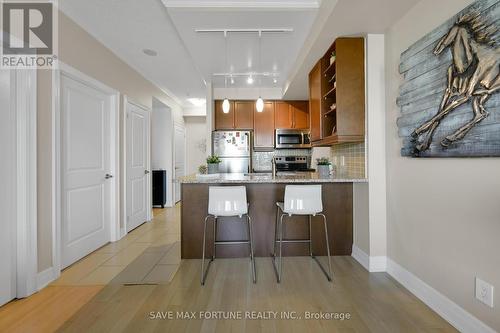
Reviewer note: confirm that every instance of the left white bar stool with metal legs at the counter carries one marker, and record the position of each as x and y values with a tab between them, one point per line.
226	201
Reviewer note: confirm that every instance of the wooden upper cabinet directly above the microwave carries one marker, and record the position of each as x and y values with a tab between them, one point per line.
292	114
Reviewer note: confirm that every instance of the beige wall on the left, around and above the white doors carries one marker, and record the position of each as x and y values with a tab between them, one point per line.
80	50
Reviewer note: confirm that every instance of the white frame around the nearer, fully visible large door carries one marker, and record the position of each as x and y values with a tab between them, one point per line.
70	72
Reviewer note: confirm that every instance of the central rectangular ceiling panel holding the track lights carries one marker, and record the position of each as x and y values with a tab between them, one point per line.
278	51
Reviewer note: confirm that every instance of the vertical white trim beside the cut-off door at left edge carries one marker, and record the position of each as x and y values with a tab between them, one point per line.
25	100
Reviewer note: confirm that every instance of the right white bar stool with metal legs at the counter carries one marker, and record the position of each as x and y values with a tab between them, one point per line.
299	200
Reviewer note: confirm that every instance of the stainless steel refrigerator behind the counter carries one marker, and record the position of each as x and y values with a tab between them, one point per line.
234	149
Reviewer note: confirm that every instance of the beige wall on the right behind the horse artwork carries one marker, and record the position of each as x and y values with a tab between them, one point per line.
443	214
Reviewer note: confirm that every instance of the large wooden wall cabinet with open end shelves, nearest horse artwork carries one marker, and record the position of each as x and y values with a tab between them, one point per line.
337	94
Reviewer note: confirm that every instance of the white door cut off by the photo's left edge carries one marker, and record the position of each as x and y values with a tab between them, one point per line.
7	203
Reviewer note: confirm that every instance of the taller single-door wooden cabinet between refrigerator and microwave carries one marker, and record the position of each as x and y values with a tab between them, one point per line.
264	127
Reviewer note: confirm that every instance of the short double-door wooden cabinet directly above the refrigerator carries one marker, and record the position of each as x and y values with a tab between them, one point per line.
240	115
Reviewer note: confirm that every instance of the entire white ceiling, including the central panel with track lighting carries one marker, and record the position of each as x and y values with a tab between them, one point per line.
186	59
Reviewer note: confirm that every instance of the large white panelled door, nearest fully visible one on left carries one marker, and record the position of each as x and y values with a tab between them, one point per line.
85	169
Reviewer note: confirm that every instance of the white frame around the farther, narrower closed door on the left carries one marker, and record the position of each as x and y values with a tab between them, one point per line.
149	202
